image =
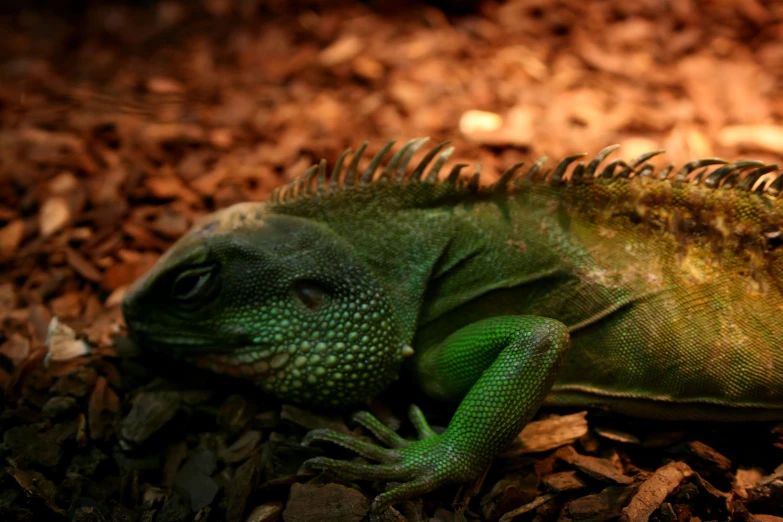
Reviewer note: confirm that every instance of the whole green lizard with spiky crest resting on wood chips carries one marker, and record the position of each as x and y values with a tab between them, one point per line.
666	285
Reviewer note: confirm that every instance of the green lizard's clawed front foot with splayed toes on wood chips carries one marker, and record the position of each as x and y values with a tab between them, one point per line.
421	465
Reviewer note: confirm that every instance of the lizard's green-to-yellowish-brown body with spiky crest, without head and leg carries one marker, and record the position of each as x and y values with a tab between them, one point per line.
669	281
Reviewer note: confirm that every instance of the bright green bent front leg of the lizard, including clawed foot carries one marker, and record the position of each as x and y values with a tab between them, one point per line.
501	367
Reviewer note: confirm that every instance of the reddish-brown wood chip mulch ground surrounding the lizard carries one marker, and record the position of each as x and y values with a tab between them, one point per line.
120	123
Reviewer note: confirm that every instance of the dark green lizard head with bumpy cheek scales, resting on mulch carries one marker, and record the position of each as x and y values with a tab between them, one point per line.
277	299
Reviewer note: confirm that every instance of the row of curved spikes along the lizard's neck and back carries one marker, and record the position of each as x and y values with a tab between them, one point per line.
748	175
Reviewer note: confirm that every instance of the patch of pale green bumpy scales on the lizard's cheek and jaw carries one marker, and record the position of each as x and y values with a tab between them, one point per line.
343	354
